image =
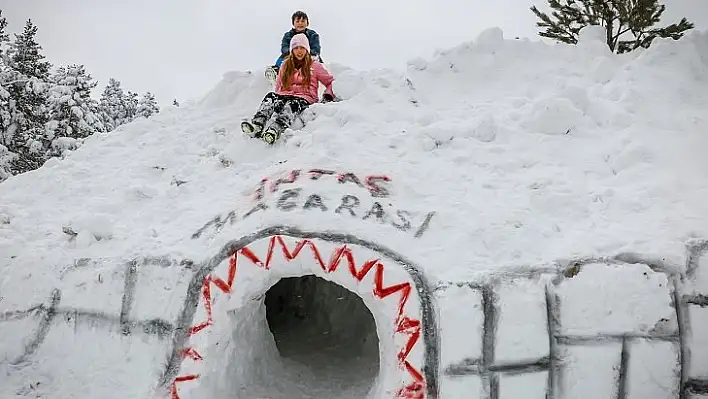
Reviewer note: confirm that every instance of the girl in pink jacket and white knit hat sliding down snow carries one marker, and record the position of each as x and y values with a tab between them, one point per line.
295	89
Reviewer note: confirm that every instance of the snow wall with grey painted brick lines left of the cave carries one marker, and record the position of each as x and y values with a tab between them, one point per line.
102	326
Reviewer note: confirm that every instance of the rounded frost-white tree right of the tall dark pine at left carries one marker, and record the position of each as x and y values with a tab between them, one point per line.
73	113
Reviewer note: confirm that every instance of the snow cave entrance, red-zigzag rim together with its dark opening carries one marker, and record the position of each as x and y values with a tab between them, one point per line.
275	320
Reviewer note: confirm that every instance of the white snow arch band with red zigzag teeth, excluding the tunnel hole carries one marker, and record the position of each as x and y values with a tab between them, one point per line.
397	295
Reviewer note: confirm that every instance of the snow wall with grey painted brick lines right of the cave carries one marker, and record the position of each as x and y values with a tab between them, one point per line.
559	342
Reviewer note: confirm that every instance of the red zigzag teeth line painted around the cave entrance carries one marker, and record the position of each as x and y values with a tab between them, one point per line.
404	324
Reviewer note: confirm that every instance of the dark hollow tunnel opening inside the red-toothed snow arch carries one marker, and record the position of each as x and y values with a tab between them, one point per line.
325	335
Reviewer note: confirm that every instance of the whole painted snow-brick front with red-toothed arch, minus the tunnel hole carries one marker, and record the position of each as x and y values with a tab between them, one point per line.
621	327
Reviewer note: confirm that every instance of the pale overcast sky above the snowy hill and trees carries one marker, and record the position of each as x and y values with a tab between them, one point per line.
180	48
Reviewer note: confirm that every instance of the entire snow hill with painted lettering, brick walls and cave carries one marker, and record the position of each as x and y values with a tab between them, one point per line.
509	219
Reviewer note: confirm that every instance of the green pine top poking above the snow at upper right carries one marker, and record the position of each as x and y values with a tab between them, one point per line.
622	19
